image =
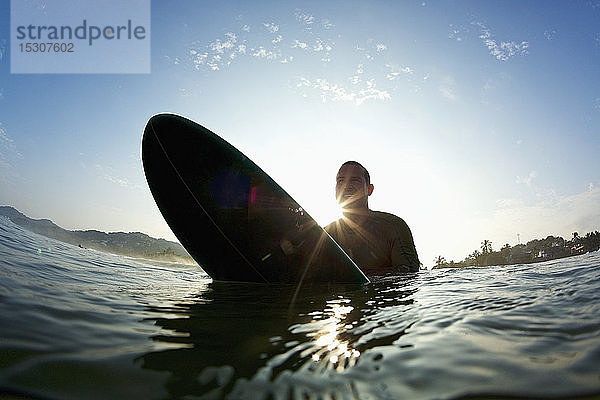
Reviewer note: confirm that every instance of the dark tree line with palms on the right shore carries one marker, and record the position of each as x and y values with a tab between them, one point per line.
536	250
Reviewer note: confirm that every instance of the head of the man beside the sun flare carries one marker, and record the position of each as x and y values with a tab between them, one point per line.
353	186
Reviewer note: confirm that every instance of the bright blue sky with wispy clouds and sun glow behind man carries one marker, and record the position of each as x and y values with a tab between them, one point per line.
477	120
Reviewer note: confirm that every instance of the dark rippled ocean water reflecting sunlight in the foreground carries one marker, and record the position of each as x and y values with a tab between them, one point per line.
79	324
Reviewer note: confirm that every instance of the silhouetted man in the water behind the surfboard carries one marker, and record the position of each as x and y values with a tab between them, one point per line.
379	243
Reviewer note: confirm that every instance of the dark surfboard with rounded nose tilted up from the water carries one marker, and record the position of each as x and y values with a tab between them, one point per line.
234	220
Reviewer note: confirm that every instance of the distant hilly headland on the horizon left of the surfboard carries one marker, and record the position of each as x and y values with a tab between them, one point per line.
133	244
